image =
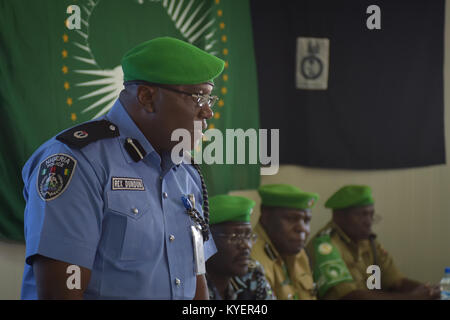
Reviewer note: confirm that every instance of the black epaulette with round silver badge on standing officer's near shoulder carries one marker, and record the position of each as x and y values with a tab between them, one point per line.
86	133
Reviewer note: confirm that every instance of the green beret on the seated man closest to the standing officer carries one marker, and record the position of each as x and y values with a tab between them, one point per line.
224	208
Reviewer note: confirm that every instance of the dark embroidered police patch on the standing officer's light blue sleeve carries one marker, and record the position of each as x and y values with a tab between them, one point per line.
54	175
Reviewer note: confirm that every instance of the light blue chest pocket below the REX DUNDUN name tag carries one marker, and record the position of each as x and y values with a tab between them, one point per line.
136	208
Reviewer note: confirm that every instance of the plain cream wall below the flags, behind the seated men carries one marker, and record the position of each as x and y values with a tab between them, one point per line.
414	204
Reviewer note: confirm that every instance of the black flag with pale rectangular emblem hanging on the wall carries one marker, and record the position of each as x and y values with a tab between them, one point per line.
352	85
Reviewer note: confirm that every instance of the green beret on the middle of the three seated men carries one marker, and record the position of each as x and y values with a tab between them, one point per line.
283	195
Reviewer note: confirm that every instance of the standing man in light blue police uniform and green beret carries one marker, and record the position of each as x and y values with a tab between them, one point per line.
106	196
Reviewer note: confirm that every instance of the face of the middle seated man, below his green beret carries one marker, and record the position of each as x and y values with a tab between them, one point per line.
287	228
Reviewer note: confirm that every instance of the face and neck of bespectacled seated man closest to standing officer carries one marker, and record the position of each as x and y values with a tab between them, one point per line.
231	259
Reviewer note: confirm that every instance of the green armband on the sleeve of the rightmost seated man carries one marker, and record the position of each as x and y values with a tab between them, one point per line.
329	269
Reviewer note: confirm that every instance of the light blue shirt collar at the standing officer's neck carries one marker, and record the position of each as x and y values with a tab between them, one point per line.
128	129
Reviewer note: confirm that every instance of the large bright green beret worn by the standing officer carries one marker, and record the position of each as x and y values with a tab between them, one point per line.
170	61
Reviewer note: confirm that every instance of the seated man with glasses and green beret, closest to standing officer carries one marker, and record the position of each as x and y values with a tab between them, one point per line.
231	274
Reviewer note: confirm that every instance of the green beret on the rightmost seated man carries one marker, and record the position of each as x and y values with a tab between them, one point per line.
350	196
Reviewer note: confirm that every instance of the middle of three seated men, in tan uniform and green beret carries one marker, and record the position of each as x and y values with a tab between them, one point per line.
282	232
